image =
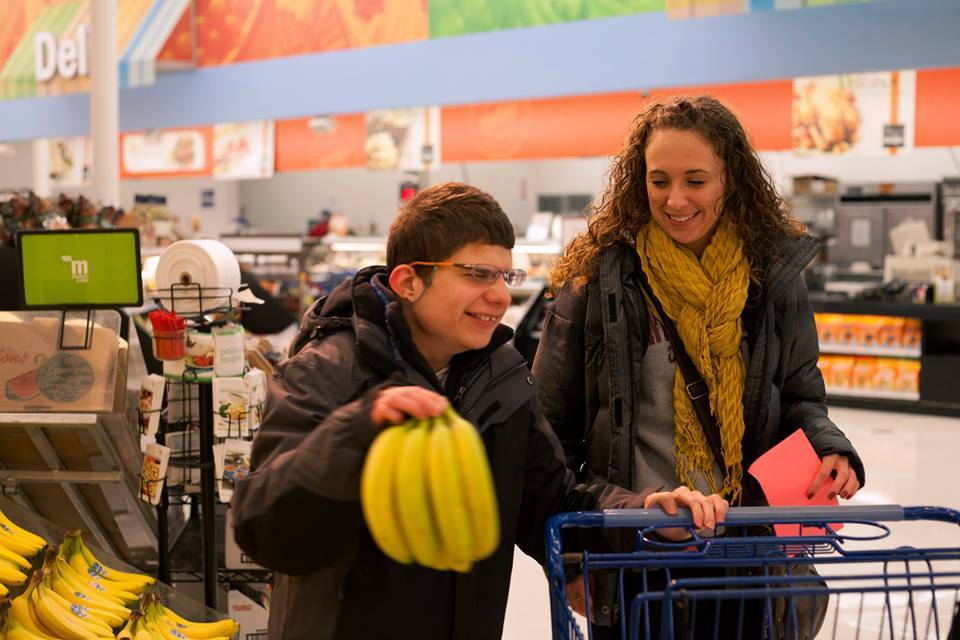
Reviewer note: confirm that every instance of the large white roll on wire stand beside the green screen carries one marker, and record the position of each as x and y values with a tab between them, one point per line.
208	263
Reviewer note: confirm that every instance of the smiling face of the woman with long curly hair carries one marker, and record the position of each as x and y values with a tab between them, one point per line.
684	186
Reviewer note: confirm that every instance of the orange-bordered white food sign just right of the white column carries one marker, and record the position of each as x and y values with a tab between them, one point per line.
169	153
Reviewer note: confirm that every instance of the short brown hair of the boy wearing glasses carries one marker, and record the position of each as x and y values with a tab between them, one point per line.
441	219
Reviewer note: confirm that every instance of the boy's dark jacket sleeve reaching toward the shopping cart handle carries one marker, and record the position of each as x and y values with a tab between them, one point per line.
549	487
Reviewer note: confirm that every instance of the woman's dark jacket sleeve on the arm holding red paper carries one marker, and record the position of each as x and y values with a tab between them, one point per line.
802	397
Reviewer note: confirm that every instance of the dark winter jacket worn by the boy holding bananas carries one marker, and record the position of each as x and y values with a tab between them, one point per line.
298	512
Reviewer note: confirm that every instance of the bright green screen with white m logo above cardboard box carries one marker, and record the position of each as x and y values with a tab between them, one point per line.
90	268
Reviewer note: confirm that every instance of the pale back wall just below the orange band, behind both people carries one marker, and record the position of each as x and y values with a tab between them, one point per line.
285	202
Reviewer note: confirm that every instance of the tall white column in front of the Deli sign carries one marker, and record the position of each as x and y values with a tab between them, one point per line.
104	103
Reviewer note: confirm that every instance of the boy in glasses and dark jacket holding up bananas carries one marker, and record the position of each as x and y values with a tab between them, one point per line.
395	342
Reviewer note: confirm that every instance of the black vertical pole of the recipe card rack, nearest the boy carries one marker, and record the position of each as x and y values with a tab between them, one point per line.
208	515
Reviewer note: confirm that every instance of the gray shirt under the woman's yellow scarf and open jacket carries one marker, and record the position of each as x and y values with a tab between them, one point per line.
654	463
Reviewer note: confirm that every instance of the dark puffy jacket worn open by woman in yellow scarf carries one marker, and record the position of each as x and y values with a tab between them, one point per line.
593	343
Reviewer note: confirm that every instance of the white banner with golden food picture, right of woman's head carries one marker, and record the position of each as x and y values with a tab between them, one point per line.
862	114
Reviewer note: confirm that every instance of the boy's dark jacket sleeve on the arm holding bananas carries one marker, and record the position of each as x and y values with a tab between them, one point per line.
299	507
